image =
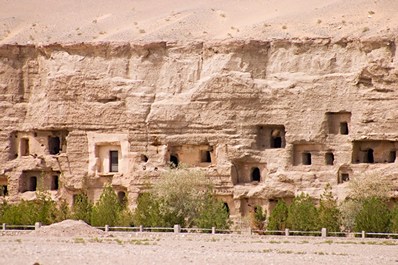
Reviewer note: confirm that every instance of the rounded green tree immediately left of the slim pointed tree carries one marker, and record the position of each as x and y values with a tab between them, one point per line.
303	215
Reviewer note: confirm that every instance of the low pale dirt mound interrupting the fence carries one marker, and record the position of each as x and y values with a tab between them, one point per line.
68	228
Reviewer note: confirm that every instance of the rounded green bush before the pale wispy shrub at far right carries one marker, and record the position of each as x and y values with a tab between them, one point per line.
373	216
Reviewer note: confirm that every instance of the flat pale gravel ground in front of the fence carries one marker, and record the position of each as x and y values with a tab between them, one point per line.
168	248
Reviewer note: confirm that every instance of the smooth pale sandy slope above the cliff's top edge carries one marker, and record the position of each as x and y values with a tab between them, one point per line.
48	21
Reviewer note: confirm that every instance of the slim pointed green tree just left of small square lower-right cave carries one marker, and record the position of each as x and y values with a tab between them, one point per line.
329	214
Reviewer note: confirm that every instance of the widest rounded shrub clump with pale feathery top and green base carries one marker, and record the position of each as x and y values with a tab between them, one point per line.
181	196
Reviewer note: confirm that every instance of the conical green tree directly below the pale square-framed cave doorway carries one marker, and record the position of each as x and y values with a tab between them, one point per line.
107	209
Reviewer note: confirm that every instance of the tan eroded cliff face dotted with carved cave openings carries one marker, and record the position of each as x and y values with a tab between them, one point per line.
264	119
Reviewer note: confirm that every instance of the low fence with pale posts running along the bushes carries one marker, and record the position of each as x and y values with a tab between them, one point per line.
178	229
